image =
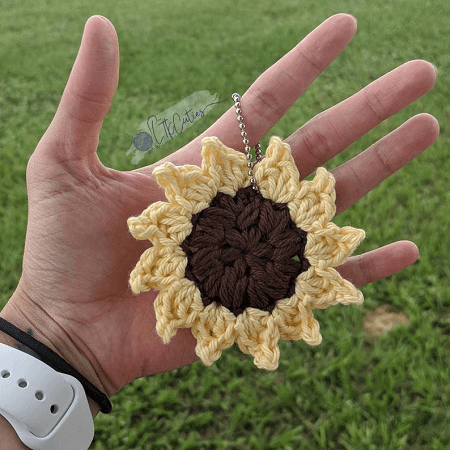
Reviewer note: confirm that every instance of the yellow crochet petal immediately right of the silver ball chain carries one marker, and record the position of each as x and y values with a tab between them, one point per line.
277	175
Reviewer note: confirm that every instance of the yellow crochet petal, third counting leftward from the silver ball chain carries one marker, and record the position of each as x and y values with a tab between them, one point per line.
162	223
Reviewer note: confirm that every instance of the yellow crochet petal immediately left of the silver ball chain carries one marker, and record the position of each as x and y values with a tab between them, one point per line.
225	166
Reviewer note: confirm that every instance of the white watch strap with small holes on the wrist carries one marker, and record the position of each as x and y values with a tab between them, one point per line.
49	410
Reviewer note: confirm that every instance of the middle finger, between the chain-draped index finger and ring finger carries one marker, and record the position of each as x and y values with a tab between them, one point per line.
333	130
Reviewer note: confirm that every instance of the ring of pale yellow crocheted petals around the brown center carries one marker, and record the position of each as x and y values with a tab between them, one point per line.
189	189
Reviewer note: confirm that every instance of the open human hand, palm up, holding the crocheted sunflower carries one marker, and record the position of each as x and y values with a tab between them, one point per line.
74	290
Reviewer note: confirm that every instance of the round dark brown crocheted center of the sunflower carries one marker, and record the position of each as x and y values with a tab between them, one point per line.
240	251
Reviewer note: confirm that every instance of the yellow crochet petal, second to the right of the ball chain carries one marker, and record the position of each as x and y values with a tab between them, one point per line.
315	201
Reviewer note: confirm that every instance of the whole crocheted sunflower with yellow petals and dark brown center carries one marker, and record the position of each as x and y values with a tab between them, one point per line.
237	265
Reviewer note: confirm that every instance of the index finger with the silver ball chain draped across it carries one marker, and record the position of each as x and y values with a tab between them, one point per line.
275	90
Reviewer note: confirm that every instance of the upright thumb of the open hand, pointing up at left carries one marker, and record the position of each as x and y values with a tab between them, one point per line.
75	129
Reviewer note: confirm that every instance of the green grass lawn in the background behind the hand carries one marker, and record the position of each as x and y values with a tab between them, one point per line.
350	392
